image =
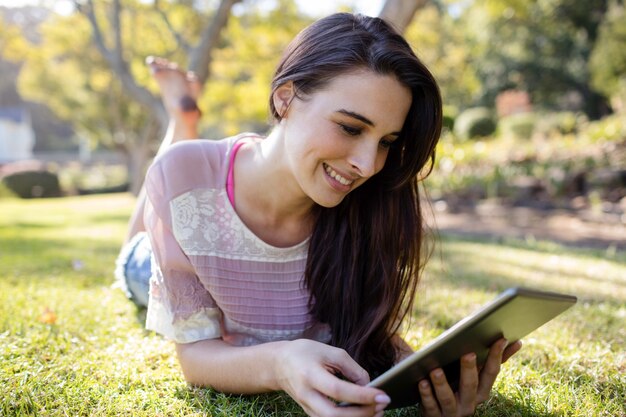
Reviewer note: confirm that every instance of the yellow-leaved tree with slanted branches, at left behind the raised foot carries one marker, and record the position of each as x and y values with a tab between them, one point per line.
89	67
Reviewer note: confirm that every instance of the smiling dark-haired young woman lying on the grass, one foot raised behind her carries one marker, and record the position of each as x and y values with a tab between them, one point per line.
289	262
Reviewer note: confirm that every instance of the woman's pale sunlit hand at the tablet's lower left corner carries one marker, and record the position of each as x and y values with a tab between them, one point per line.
307	371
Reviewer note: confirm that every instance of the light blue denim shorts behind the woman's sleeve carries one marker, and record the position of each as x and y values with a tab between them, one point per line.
133	269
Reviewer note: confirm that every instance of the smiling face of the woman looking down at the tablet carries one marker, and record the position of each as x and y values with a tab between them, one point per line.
339	137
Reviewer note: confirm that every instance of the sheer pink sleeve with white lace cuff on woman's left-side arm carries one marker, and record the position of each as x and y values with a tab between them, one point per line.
180	307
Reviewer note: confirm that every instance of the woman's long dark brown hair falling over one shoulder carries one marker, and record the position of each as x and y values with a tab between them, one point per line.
365	255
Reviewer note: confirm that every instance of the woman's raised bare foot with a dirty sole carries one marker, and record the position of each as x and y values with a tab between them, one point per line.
179	90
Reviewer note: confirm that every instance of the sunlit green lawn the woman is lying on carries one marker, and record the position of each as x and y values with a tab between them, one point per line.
70	344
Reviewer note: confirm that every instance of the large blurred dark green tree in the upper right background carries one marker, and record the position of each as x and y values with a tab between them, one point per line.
542	47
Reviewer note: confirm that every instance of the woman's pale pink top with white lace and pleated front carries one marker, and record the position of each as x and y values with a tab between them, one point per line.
212	276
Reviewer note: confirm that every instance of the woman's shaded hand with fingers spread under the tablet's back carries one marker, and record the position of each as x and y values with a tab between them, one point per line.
474	385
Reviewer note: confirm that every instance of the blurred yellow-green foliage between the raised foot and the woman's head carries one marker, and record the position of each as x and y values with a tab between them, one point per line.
237	95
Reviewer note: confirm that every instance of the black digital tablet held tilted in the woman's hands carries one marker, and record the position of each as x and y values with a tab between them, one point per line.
513	314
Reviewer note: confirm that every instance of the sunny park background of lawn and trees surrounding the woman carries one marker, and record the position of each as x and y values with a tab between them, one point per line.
528	189
